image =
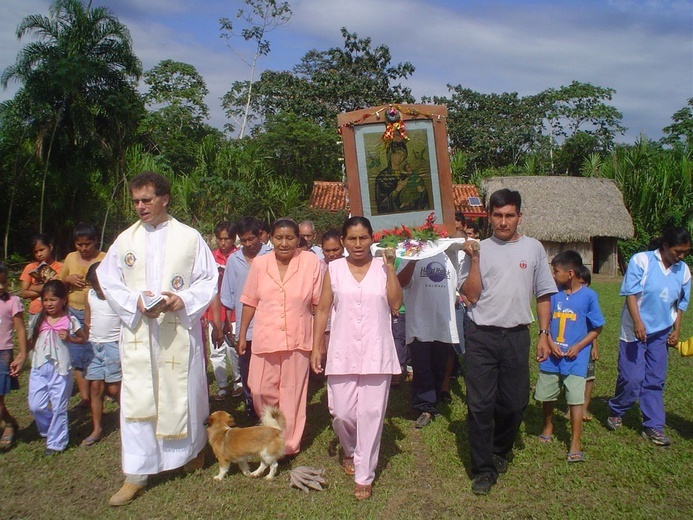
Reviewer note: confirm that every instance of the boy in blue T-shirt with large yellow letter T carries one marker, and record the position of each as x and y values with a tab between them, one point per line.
576	321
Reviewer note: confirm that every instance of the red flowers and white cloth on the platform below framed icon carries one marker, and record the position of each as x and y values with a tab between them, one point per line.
416	243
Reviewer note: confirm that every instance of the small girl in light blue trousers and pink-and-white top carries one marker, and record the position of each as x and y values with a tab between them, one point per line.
50	379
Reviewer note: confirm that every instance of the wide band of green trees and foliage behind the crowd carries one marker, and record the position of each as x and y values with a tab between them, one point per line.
77	130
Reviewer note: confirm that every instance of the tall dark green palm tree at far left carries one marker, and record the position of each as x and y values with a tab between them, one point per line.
77	105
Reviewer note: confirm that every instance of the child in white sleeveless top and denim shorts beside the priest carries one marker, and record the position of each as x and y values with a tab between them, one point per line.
103	372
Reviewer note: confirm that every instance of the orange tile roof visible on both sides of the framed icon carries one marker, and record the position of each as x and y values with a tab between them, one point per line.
333	196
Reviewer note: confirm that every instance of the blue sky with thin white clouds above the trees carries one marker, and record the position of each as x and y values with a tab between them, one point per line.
641	48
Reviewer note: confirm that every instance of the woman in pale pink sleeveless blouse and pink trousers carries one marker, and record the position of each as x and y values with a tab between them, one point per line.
362	357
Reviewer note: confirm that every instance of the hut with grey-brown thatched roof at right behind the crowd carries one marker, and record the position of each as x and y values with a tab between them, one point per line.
585	214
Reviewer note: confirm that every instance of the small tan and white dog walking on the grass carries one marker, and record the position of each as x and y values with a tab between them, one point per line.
239	445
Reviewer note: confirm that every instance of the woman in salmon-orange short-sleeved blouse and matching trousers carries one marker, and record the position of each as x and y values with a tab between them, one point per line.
281	292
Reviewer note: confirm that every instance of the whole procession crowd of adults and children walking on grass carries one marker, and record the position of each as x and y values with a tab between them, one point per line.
140	322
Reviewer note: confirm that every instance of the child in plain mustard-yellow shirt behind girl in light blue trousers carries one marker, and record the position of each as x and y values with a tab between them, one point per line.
73	276
